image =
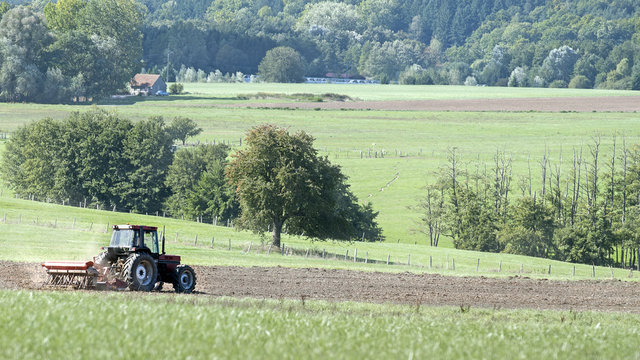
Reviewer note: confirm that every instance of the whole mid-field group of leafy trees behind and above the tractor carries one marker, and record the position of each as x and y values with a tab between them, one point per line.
277	183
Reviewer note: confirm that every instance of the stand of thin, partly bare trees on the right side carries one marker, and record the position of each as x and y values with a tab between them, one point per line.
586	208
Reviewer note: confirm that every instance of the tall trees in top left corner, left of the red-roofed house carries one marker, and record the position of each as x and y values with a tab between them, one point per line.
68	50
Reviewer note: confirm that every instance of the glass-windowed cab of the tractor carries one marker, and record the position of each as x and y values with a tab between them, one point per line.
134	238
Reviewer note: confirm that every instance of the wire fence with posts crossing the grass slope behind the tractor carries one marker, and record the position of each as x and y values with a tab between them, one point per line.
439	263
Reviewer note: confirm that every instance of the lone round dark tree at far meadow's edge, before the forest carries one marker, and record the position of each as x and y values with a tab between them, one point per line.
282	64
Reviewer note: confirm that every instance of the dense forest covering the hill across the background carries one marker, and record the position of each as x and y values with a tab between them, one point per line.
545	43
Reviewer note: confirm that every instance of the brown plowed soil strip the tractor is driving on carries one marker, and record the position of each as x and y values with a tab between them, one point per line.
403	288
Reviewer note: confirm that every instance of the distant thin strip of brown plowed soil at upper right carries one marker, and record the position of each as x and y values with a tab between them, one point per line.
577	104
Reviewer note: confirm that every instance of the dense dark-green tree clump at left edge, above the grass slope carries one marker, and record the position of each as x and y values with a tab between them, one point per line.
95	157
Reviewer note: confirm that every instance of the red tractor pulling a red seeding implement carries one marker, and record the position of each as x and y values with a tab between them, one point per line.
132	260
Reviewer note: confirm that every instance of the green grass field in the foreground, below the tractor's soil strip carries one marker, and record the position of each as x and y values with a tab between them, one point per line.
54	325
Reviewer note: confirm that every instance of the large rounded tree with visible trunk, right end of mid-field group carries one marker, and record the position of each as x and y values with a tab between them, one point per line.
280	180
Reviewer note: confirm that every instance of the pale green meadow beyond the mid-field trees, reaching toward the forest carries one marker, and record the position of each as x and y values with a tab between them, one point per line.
415	143
